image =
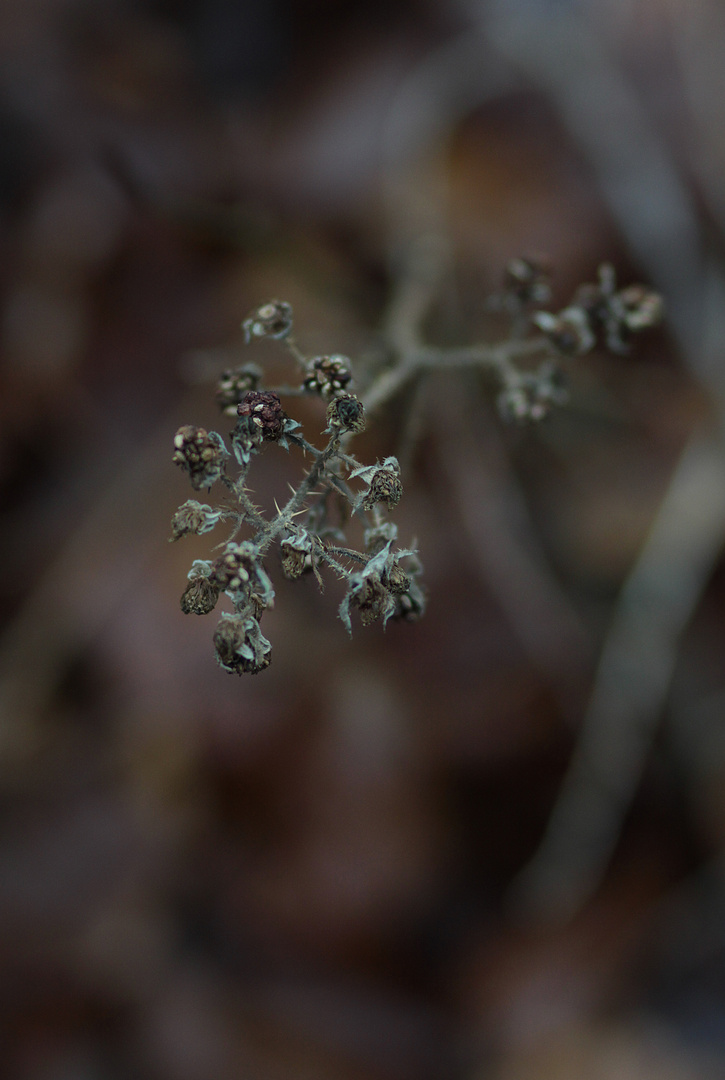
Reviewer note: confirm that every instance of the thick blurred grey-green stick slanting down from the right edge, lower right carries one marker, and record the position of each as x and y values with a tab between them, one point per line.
630	688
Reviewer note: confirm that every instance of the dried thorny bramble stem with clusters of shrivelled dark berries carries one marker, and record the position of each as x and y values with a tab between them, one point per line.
382	580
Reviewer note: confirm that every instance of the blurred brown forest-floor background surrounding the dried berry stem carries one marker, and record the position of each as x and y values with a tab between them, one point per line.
487	845
